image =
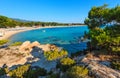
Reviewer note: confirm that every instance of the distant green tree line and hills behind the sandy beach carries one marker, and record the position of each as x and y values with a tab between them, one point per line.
6	22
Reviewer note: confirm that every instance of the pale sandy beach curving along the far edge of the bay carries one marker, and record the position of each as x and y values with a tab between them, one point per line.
12	31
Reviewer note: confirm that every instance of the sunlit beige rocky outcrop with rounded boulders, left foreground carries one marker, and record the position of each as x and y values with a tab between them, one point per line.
24	53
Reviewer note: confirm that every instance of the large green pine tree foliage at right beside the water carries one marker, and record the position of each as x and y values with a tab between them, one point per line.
107	38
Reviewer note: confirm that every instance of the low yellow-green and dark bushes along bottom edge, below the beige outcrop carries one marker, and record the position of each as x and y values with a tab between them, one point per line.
25	71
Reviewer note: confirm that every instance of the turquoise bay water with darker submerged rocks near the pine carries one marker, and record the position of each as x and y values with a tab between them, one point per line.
66	37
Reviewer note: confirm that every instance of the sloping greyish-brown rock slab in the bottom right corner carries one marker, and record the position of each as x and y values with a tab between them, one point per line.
100	71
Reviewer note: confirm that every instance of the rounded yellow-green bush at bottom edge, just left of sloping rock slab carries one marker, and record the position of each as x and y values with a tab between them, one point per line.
77	72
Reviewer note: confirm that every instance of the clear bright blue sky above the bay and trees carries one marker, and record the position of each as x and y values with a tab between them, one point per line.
64	11
